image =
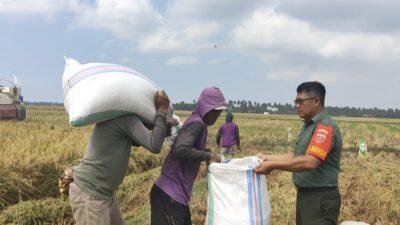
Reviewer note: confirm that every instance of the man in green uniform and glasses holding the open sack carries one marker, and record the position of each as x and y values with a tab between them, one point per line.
314	161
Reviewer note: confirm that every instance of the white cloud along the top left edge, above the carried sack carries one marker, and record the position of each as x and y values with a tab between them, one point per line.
128	19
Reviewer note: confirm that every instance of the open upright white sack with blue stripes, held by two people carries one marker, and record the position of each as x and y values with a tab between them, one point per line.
237	196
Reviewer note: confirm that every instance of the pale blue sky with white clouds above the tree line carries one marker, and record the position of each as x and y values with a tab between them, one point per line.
253	50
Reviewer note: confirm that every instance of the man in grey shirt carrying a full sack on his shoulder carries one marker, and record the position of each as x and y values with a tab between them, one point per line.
105	162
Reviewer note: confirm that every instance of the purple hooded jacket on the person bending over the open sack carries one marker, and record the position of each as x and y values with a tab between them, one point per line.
178	173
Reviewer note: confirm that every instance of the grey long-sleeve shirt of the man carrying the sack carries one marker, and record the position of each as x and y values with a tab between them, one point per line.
105	161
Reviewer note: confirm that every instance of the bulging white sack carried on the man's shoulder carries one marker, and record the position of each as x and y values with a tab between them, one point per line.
96	92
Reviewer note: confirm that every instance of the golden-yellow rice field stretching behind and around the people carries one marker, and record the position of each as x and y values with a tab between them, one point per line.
34	153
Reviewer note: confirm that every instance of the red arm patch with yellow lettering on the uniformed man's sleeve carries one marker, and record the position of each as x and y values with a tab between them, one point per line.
321	141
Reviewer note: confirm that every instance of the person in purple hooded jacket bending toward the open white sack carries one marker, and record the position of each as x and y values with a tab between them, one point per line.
170	194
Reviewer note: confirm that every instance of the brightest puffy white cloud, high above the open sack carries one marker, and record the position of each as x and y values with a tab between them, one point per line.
267	30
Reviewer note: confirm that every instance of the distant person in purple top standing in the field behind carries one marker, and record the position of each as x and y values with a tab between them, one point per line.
228	137
